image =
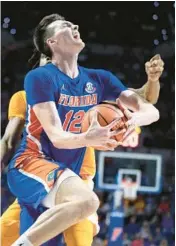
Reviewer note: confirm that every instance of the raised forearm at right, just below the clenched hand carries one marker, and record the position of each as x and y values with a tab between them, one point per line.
152	90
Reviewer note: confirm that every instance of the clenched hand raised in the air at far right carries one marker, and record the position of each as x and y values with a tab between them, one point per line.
154	68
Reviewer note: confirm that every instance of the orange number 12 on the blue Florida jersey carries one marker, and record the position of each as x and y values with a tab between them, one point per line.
72	122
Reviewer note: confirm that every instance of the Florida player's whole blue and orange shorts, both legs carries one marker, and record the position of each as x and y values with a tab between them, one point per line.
30	183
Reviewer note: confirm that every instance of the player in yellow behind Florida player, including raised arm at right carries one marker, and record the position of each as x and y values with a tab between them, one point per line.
17	111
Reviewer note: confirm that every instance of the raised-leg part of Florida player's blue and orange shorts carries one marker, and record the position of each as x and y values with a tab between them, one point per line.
33	180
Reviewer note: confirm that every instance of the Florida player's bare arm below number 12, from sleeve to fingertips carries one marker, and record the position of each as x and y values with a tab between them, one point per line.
95	136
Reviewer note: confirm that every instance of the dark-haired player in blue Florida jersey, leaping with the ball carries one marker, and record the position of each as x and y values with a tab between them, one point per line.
45	167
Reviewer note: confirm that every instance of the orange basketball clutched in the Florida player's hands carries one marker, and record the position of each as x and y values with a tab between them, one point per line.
106	113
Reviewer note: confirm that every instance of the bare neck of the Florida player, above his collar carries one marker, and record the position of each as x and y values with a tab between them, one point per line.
67	64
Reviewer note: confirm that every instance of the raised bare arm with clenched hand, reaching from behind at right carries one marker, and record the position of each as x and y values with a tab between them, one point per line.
150	91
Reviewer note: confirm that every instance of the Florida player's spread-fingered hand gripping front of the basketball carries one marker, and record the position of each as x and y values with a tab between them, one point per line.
99	136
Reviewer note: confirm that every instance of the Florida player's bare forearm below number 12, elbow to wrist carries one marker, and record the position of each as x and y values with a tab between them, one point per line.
67	140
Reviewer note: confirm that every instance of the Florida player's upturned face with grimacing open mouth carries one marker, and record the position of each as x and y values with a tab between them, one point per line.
66	37
